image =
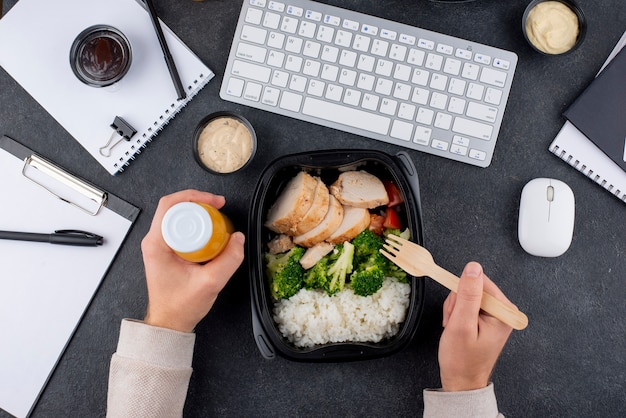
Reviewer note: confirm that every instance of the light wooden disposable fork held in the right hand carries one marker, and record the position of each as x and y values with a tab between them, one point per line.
417	261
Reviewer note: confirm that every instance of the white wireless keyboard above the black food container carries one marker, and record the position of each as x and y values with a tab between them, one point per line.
369	76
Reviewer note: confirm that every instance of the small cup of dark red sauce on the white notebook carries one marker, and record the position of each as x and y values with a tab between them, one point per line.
100	56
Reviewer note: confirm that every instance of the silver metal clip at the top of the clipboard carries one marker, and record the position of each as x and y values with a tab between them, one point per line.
74	191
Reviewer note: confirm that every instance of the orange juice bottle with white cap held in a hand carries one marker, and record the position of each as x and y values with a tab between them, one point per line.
196	232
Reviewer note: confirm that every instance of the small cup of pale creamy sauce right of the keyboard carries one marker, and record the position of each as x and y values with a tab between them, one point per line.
554	27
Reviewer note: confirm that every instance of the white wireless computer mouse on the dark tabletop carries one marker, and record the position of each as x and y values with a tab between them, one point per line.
546	217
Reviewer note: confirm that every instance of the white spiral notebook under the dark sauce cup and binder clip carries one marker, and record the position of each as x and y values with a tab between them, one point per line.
35	41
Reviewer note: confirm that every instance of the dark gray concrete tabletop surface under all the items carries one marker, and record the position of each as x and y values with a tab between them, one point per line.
568	362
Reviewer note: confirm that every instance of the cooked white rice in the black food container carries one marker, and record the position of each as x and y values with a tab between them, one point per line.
311	317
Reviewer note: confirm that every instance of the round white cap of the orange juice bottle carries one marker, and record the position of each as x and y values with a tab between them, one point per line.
187	227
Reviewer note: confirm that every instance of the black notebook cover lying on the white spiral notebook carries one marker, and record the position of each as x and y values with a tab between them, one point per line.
600	111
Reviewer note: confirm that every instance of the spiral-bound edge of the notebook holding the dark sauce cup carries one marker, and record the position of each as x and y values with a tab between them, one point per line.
146	137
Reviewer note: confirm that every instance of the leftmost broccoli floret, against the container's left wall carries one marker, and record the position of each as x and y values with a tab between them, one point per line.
285	272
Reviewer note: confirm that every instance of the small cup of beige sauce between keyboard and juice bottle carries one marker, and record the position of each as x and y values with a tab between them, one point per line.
224	142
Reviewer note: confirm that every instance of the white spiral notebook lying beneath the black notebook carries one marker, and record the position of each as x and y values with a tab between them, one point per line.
573	147
